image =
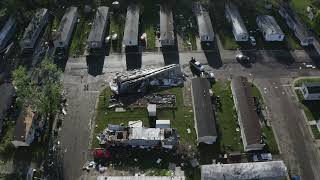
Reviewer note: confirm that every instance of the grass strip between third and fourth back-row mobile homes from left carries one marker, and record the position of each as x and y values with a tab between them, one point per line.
80	36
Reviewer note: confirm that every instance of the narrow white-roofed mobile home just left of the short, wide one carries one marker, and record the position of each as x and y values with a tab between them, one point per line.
238	28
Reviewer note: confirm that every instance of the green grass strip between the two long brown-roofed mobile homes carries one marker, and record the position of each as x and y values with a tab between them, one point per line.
229	138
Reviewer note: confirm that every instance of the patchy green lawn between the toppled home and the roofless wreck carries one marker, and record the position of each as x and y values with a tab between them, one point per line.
181	117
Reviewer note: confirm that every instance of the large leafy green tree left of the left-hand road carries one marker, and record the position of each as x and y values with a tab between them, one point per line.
41	90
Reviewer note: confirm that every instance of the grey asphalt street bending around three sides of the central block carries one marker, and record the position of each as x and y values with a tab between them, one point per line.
270	67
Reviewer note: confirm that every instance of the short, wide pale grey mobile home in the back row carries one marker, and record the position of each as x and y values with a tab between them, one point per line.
270	29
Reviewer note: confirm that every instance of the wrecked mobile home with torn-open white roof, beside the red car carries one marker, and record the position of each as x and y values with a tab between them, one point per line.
138	136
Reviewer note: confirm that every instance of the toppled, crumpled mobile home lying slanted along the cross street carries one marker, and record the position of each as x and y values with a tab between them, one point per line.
139	80
